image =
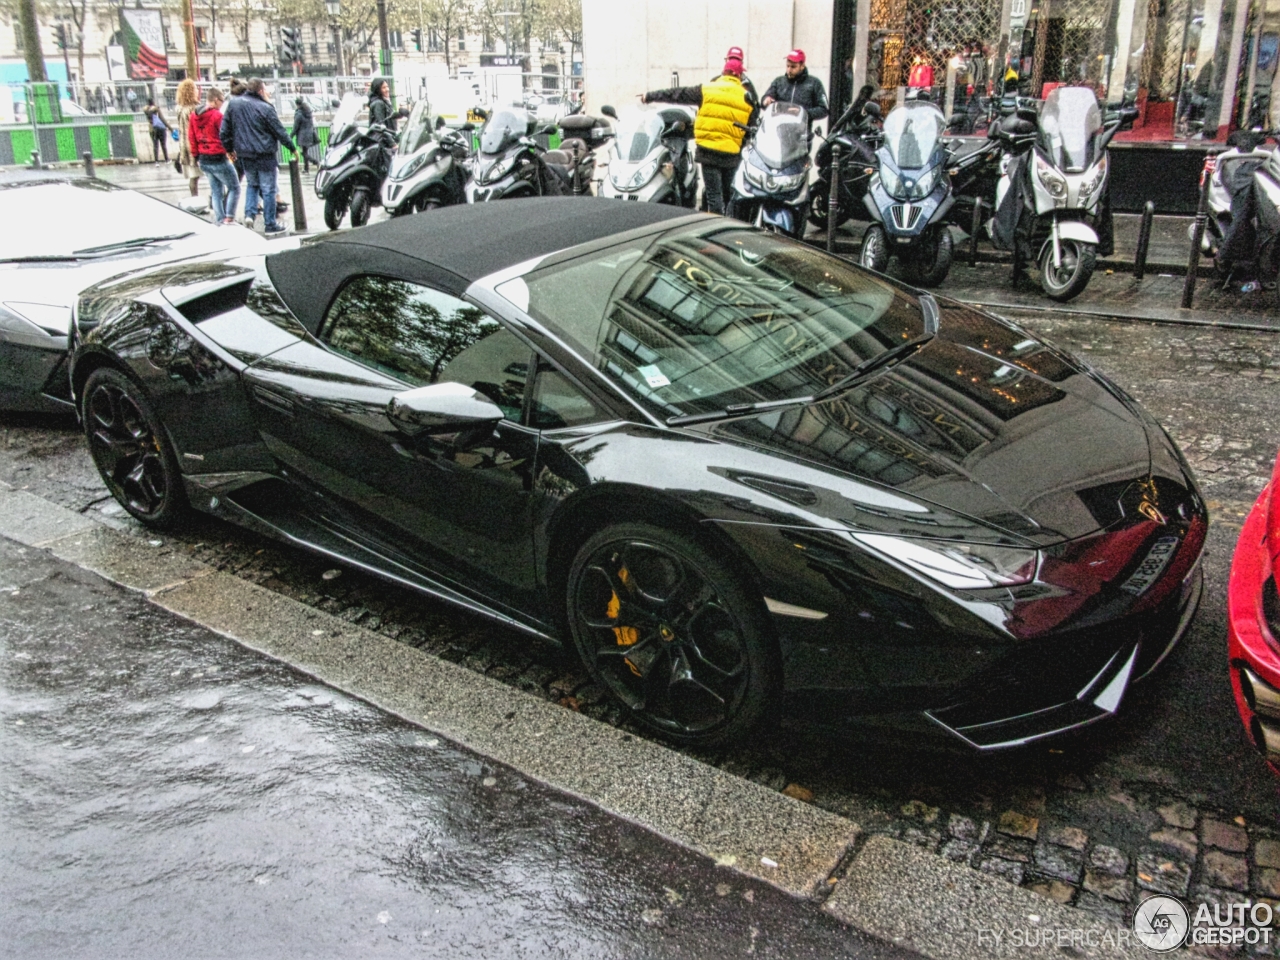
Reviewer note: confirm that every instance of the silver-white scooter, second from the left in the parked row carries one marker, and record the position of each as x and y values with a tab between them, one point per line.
429	170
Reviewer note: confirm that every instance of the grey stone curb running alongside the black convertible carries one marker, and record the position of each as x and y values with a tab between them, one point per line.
890	890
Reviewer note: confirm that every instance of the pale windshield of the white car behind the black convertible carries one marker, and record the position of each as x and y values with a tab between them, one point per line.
106	217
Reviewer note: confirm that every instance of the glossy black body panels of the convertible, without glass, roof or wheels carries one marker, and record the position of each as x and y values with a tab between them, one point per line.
986	435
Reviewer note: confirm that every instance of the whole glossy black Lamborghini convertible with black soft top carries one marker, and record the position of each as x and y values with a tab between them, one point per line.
737	474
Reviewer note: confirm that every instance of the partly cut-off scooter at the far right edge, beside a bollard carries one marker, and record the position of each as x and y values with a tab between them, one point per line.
1242	230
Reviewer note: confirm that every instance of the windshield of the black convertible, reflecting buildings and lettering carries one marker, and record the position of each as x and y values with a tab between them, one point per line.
701	318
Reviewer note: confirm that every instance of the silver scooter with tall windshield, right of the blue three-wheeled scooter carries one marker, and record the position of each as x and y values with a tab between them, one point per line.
1052	202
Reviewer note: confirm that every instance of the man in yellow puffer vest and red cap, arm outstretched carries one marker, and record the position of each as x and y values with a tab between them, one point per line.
725	109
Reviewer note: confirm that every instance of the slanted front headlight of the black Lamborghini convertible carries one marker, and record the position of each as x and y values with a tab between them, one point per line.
962	566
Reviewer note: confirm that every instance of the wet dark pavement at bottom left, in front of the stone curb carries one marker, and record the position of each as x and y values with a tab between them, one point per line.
170	794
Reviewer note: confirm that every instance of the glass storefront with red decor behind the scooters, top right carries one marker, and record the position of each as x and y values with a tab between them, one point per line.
1196	70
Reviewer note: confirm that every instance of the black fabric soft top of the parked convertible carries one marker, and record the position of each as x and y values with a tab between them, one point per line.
451	249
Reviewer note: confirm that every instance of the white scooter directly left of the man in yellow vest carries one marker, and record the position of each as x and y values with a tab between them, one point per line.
651	159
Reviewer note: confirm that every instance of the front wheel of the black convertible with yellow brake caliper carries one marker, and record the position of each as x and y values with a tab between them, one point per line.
671	634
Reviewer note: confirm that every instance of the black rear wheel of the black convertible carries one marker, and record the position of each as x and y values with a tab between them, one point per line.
130	450
